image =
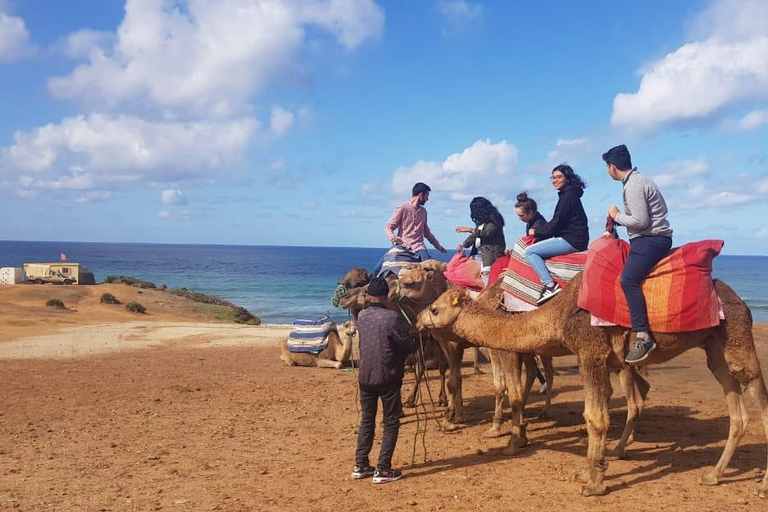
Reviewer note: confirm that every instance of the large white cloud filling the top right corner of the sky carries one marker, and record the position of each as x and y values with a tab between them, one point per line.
725	69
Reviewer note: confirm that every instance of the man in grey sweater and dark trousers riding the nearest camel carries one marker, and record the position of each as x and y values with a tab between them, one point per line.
650	238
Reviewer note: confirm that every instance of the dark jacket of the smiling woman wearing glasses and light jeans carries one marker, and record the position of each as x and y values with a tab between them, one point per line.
569	220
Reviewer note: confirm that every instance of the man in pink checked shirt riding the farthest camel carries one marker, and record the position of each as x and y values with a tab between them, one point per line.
410	220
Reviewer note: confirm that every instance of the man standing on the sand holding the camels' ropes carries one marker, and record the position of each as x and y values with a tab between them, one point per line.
384	345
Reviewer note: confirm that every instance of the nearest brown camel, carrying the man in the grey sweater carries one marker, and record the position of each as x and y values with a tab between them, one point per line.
559	327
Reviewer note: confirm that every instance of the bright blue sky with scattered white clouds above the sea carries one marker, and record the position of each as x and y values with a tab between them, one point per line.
306	122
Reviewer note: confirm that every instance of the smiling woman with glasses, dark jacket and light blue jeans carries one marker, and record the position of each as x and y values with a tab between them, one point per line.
567	232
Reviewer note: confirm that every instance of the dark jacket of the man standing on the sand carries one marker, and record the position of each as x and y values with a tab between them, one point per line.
384	345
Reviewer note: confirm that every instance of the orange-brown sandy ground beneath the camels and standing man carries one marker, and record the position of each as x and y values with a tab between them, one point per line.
104	411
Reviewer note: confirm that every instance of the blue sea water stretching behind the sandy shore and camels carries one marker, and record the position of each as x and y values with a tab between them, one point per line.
280	284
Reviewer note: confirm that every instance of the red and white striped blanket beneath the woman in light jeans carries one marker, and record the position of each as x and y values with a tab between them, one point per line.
522	282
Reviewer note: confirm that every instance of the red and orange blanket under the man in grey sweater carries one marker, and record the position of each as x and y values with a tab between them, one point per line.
679	291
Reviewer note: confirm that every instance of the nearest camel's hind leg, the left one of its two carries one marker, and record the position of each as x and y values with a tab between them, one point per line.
737	410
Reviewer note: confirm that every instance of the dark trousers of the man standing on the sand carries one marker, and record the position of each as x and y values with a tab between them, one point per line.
391	407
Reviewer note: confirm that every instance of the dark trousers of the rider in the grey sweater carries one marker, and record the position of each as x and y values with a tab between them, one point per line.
644	253
